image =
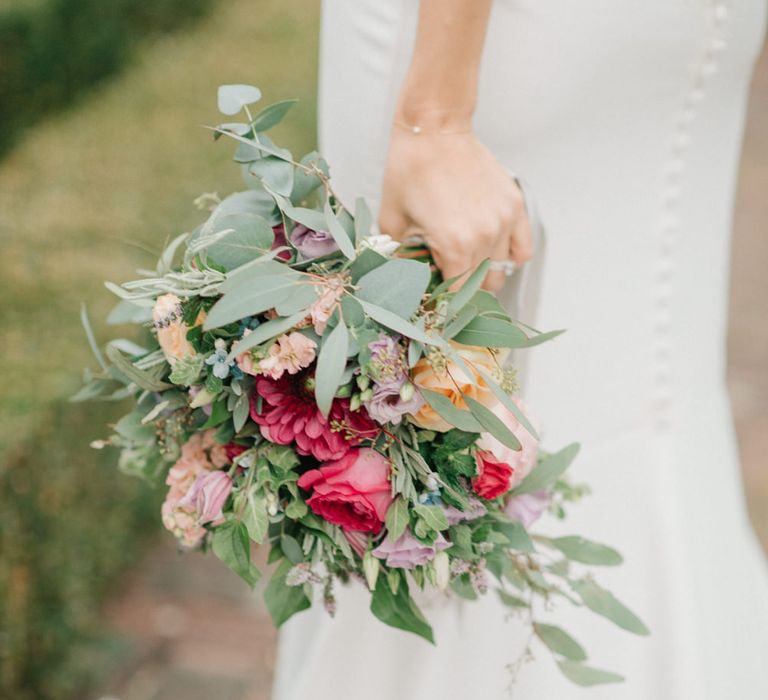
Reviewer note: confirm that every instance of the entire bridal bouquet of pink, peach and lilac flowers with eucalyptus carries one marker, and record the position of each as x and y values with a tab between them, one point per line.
318	389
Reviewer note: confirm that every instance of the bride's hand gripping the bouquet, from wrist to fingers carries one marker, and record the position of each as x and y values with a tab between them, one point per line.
452	191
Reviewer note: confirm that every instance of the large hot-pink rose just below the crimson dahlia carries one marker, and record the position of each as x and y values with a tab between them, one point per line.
353	492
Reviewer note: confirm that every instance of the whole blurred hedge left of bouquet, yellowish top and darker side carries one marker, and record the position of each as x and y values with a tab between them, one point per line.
86	196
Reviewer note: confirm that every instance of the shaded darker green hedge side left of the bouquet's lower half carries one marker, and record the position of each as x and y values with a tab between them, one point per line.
68	531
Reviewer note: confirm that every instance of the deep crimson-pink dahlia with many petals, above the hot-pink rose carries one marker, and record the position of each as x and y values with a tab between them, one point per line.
289	414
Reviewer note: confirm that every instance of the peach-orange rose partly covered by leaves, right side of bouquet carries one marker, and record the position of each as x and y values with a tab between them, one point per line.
454	383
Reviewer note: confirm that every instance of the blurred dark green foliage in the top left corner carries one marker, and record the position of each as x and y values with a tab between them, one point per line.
52	51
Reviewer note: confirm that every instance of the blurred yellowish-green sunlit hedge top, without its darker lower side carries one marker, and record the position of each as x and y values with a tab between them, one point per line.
84	192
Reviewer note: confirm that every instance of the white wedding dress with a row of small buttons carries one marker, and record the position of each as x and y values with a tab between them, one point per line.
625	118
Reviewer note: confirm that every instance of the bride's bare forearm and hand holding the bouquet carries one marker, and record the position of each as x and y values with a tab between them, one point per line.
440	180
